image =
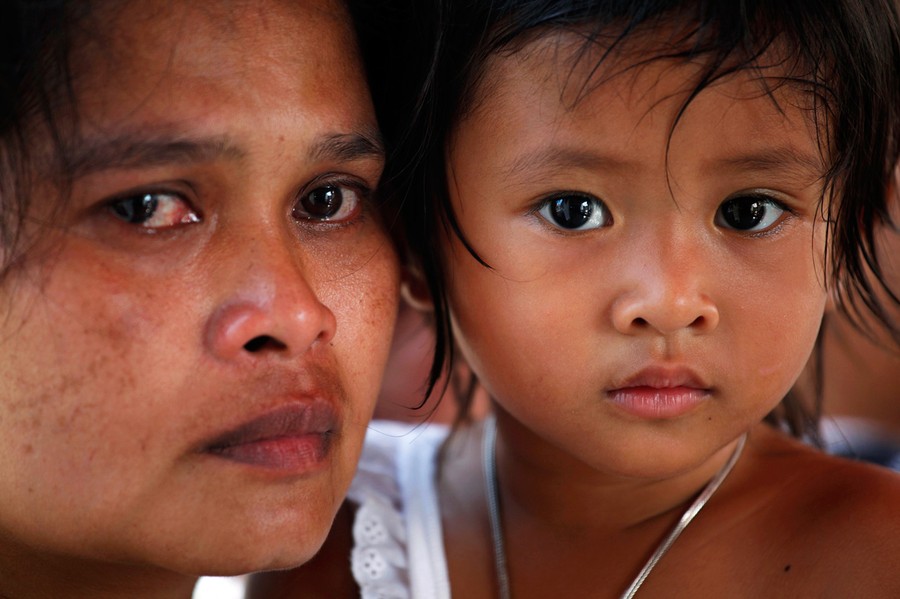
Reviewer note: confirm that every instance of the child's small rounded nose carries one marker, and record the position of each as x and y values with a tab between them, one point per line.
667	290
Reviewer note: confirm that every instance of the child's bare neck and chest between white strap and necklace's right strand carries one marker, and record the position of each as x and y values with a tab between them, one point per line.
561	520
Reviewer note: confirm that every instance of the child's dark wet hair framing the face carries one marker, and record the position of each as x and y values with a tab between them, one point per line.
845	54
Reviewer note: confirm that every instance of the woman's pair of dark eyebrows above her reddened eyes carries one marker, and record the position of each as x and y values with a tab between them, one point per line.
136	150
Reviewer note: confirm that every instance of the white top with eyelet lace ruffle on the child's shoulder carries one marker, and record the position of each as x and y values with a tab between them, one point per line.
398	550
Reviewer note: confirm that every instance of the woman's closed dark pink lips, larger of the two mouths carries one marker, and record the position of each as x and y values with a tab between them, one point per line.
296	437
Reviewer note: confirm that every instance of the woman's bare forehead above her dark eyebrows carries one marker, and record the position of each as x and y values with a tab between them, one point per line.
179	70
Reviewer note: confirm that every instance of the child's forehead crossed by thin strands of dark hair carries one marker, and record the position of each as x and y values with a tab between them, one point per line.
563	75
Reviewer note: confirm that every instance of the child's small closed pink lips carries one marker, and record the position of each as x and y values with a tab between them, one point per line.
660	393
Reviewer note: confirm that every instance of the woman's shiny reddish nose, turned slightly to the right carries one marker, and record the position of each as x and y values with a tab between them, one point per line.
268	306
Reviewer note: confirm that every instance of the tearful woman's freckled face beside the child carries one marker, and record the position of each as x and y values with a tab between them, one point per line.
191	354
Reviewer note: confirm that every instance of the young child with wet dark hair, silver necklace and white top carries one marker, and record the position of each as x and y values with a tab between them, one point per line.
632	212
